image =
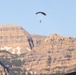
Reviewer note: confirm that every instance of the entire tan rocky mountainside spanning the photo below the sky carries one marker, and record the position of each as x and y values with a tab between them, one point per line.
38	54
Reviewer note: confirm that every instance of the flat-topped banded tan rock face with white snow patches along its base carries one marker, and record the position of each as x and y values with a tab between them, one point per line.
15	39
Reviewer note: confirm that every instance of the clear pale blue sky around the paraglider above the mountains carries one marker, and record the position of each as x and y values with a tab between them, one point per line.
60	19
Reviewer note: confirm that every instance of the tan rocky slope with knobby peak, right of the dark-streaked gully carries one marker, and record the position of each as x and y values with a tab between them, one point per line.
55	54
